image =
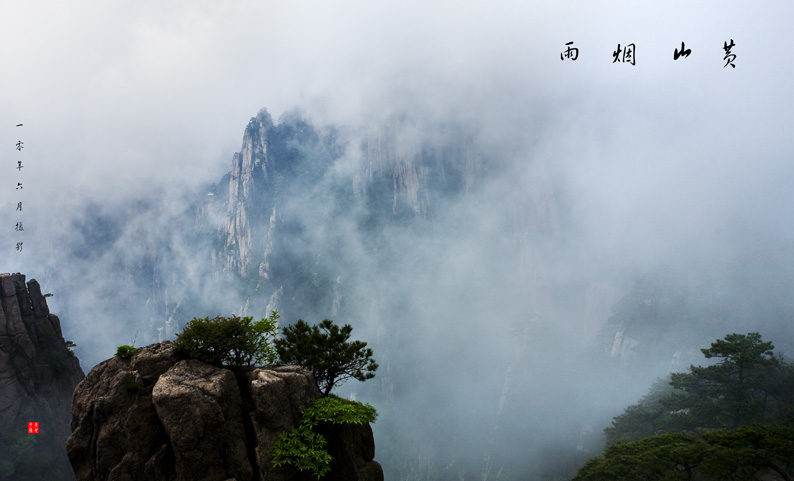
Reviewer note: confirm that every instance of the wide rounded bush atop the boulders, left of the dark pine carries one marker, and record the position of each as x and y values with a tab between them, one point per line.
232	341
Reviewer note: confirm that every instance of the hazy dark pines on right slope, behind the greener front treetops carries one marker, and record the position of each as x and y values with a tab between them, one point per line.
748	385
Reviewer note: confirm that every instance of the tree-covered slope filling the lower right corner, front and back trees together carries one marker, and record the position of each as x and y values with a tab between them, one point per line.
733	420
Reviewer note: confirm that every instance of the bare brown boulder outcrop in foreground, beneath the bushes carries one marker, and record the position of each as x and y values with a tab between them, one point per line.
157	417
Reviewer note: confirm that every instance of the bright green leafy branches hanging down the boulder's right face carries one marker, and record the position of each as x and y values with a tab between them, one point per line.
304	448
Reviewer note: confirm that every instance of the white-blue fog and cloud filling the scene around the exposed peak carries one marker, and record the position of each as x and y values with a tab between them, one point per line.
587	177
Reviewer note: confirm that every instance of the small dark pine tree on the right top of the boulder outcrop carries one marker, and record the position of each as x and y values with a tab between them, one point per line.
324	350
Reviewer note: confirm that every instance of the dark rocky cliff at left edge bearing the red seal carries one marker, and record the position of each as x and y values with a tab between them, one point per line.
38	374
